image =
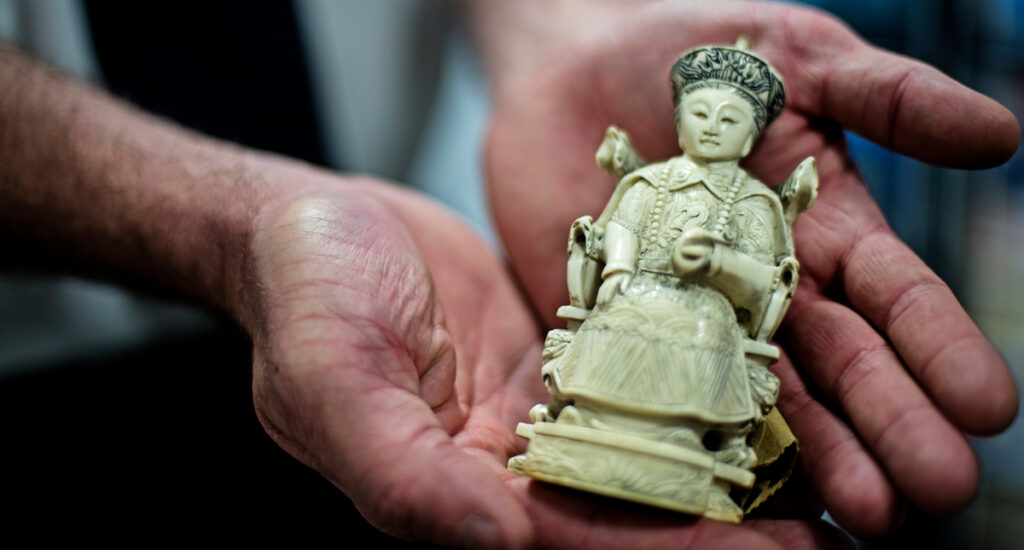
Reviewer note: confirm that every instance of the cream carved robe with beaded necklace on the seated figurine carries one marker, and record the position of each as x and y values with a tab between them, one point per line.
666	347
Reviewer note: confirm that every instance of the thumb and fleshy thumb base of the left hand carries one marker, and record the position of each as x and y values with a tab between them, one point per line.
350	390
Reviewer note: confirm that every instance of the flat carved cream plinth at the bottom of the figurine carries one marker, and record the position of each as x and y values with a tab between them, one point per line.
631	469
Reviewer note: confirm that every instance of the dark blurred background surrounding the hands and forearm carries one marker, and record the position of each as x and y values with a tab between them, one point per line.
123	410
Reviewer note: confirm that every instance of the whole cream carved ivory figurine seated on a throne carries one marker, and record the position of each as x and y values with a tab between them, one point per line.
676	290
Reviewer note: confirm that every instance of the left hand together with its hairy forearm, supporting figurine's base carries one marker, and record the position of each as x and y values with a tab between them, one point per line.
392	351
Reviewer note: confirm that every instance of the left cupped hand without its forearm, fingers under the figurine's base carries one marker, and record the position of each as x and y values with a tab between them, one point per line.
395	355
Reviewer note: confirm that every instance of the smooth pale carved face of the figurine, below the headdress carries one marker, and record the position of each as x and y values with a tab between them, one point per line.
715	125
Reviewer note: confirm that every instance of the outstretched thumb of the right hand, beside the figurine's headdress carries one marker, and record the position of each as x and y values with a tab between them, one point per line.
897	102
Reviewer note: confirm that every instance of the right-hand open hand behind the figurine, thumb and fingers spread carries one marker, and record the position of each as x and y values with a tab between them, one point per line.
884	371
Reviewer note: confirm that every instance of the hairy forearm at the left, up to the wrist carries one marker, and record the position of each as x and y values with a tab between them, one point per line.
89	182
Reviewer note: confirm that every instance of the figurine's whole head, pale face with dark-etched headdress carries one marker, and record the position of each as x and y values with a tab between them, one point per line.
724	99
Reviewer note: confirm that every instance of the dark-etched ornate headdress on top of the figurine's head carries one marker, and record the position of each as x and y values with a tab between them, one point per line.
749	75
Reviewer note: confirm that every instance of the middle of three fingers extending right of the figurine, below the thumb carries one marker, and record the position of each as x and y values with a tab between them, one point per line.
924	455
